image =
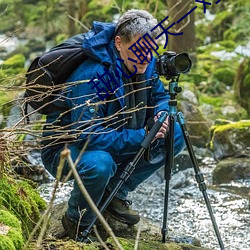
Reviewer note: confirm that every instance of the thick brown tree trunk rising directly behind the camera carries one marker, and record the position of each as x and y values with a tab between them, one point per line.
187	41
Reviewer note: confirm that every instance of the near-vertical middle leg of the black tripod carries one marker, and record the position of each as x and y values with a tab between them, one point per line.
168	173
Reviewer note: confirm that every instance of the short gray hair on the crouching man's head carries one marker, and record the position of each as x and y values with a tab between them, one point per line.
136	22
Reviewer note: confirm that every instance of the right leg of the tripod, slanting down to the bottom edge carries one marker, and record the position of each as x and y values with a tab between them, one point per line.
199	177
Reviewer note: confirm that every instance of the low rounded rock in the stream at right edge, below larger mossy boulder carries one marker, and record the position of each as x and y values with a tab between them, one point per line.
231	169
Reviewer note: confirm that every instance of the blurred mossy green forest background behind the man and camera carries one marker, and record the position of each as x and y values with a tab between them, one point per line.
216	36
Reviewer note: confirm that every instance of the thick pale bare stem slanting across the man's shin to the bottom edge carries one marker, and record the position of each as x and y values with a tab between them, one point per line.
66	154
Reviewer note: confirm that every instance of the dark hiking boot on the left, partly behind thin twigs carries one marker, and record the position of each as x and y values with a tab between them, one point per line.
75	231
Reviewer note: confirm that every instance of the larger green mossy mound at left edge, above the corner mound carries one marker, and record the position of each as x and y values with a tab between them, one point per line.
22	200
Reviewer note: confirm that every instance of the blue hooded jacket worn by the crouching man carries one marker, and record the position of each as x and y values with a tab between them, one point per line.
102	123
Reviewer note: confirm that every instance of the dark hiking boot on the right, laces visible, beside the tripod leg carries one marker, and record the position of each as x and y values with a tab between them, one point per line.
121	211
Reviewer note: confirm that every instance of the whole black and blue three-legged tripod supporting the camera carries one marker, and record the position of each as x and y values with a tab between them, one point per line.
173	90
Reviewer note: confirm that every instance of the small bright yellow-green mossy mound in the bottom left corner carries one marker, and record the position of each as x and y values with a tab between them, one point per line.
10	231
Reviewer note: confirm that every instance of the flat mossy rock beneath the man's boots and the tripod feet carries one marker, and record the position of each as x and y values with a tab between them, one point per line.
149	238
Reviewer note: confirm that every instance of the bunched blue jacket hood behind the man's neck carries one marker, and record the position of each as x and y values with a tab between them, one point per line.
98	43
